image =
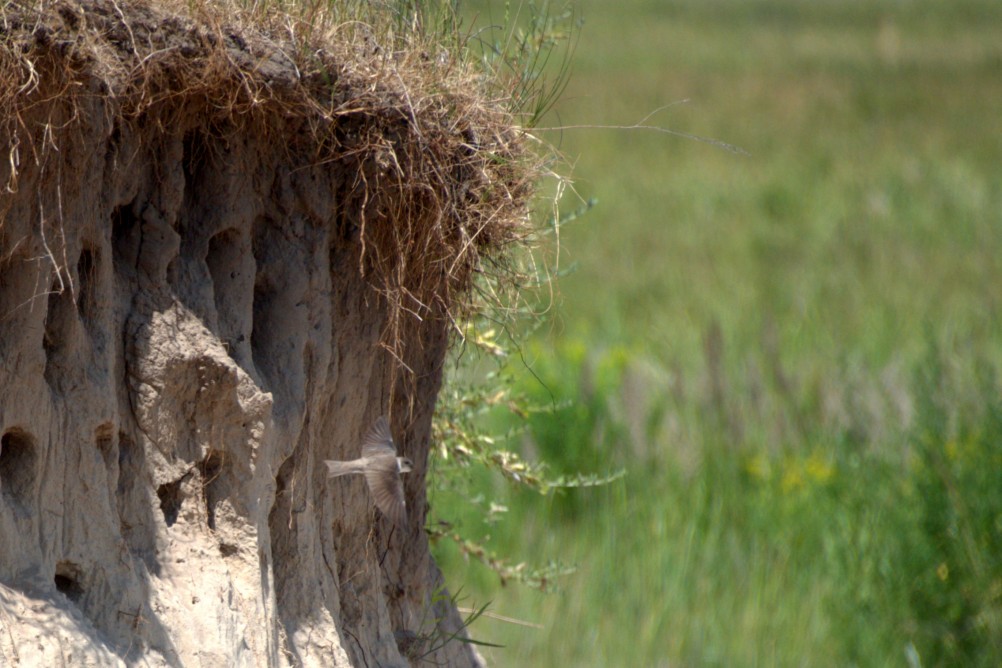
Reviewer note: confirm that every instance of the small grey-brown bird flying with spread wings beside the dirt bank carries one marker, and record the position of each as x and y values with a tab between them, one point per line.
382	468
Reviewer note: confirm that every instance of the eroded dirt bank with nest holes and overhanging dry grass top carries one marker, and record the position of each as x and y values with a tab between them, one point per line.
210	283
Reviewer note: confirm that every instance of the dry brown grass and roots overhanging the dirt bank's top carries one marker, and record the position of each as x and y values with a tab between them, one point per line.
443	175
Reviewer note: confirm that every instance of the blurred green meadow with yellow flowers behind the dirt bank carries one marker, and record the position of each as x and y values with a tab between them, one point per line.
793	352
